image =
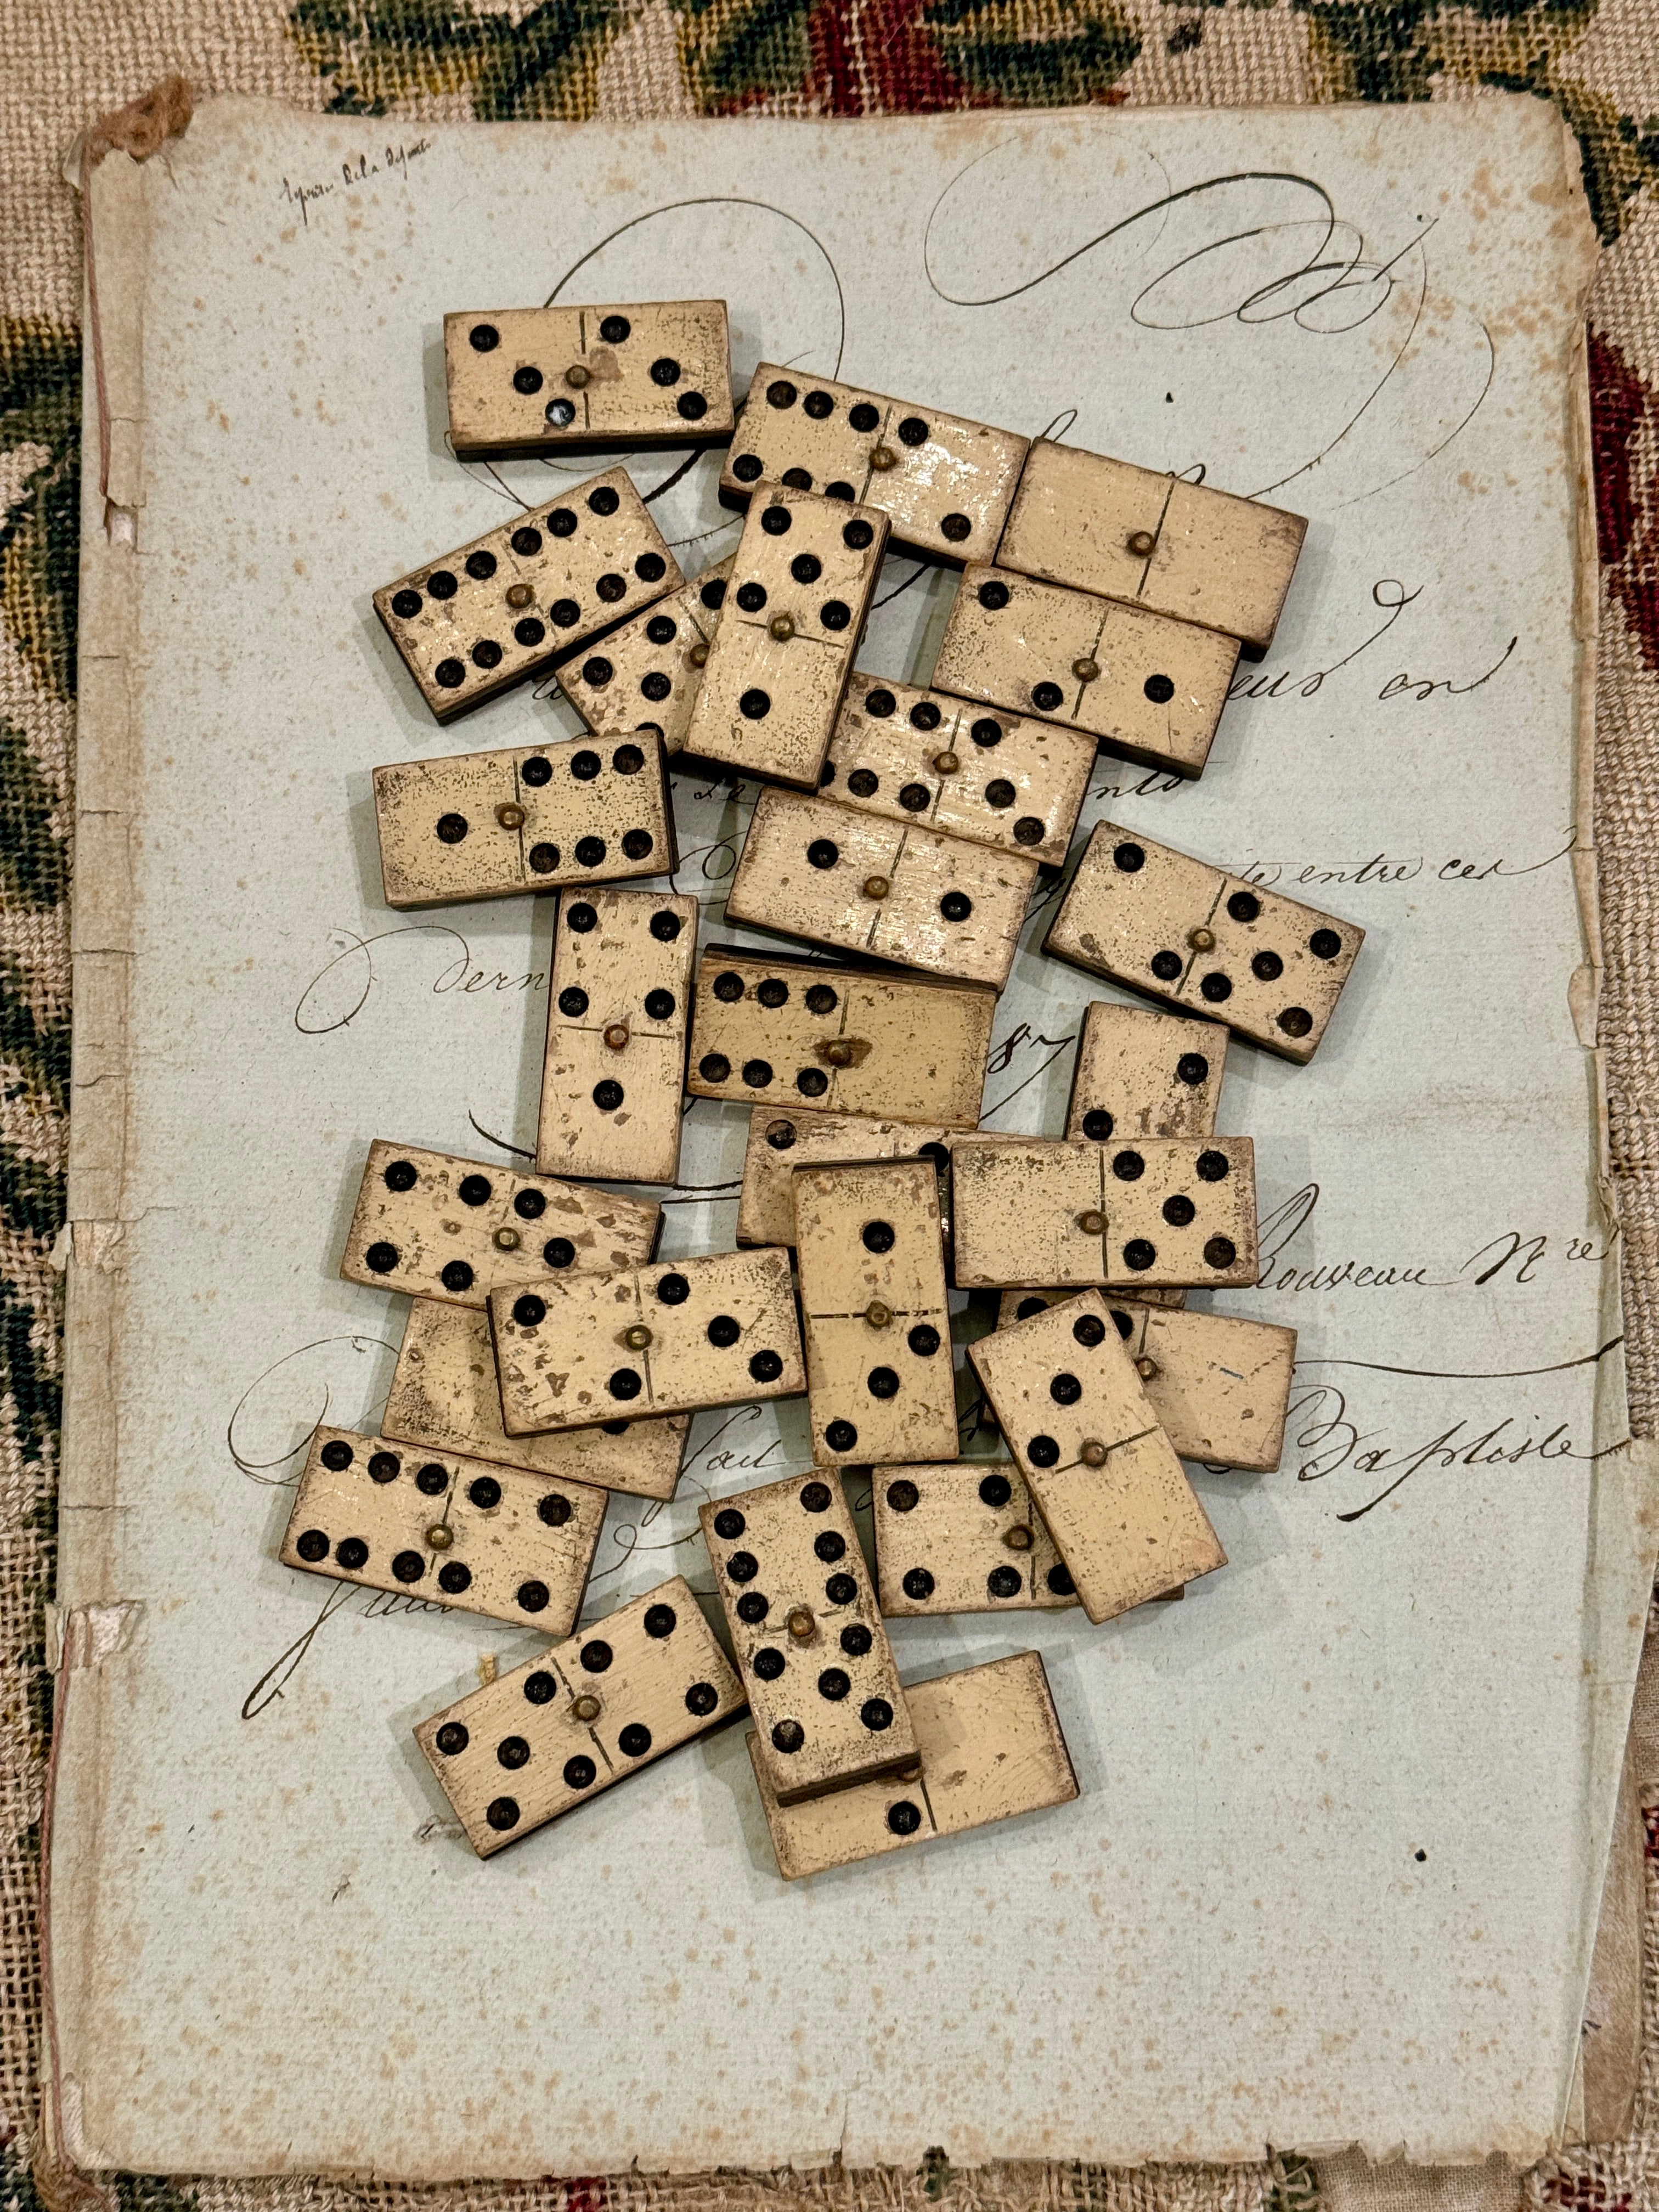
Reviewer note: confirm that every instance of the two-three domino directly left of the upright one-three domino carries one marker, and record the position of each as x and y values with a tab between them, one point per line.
671	1339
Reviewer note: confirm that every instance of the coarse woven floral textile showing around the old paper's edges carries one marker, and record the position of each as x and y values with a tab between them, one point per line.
65	63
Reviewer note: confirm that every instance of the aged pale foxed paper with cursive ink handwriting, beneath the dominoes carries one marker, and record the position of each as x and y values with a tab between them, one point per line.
249	1016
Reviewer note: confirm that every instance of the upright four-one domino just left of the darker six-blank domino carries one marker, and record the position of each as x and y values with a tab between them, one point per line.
618	1016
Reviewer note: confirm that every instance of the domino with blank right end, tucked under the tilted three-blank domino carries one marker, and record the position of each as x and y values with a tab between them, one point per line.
1218	1384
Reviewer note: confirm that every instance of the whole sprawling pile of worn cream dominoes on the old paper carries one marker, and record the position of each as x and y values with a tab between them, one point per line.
550	1357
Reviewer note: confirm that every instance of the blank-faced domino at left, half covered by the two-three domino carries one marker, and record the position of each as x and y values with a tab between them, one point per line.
446	1397
